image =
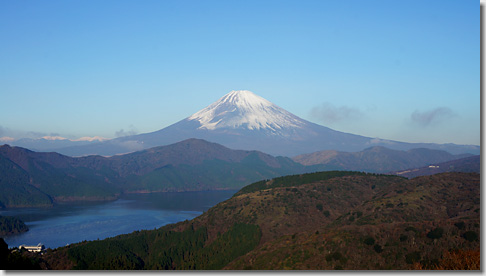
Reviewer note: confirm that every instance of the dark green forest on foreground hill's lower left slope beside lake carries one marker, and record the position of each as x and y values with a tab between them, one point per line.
166	249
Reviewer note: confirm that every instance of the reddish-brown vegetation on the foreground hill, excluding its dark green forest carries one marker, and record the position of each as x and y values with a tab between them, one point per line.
354	222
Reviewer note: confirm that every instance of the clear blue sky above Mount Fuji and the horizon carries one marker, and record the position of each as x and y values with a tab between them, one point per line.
401	70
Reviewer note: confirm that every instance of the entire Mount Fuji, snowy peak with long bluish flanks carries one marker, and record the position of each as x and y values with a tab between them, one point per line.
244	120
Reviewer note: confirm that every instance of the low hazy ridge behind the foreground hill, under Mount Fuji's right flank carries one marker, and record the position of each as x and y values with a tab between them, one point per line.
375	159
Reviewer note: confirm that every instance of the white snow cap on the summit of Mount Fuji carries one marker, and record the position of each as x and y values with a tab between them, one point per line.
244	109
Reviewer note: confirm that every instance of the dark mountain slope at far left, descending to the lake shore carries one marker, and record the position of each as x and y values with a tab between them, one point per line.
51	177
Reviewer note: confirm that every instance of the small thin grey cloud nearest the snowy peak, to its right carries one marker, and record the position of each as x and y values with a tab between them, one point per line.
328	113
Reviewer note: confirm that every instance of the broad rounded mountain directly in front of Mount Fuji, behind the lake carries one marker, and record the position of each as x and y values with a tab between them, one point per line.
196	164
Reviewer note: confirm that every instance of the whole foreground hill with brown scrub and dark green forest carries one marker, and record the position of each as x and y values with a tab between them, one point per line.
315	221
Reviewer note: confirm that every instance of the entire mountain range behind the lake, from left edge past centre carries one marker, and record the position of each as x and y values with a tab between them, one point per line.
34	179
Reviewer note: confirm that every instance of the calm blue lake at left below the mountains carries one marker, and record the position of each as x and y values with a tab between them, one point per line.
66	224
